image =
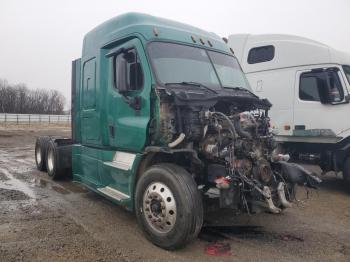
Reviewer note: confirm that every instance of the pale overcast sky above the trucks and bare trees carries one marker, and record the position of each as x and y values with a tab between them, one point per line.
40	38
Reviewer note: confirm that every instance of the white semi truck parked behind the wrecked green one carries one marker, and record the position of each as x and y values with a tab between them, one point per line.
308	84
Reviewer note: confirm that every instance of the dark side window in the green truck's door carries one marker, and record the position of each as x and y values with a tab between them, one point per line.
134	73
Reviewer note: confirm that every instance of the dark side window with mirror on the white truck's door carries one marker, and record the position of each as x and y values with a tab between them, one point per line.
324	83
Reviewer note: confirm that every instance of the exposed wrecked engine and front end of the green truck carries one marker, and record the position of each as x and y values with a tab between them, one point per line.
230	133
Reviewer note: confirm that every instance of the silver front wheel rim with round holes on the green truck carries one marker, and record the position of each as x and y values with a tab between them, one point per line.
159	207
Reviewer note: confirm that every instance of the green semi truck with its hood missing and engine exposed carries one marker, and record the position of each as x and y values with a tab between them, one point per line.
161	114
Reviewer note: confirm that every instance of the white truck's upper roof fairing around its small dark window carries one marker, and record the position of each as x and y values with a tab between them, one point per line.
289	51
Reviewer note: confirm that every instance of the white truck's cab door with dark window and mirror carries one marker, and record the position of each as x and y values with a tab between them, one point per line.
312	115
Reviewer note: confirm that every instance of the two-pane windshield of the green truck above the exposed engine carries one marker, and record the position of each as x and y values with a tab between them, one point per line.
175	63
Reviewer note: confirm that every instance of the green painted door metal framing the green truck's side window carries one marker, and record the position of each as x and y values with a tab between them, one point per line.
130	125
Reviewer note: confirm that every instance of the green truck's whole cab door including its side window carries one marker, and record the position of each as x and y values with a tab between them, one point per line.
127	126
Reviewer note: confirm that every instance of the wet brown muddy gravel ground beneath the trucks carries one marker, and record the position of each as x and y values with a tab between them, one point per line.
42	220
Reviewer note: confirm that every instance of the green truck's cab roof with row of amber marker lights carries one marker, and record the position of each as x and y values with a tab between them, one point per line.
149	28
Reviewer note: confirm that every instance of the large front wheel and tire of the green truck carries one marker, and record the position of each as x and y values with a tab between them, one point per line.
168	206
